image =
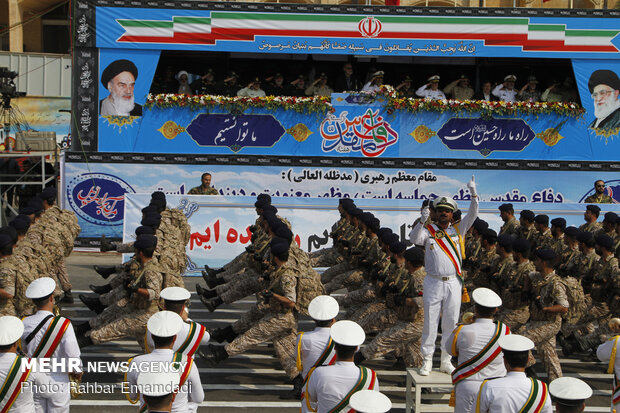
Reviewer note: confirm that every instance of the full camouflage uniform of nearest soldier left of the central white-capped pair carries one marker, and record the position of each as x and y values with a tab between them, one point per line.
273	322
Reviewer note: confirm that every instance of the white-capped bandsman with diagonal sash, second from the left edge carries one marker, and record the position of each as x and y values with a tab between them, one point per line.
47	336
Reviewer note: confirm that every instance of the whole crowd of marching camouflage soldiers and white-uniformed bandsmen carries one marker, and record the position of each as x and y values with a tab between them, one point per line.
497	297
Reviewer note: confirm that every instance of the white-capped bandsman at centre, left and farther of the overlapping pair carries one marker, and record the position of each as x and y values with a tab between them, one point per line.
316	348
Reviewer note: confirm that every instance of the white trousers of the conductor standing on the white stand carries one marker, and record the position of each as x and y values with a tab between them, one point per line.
441	298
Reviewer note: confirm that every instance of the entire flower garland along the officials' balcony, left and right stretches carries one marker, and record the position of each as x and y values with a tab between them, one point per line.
322	104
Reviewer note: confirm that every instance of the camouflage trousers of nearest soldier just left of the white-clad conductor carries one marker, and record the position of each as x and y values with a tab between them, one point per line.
399	335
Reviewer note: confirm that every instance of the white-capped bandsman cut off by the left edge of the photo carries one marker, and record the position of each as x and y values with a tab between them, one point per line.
19	395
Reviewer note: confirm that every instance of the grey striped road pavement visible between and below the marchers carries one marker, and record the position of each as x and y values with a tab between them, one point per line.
253	381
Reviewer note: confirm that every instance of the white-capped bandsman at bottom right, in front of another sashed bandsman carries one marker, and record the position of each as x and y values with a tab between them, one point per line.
510	394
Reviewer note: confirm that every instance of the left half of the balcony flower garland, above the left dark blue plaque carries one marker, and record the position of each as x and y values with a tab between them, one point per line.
307	105
